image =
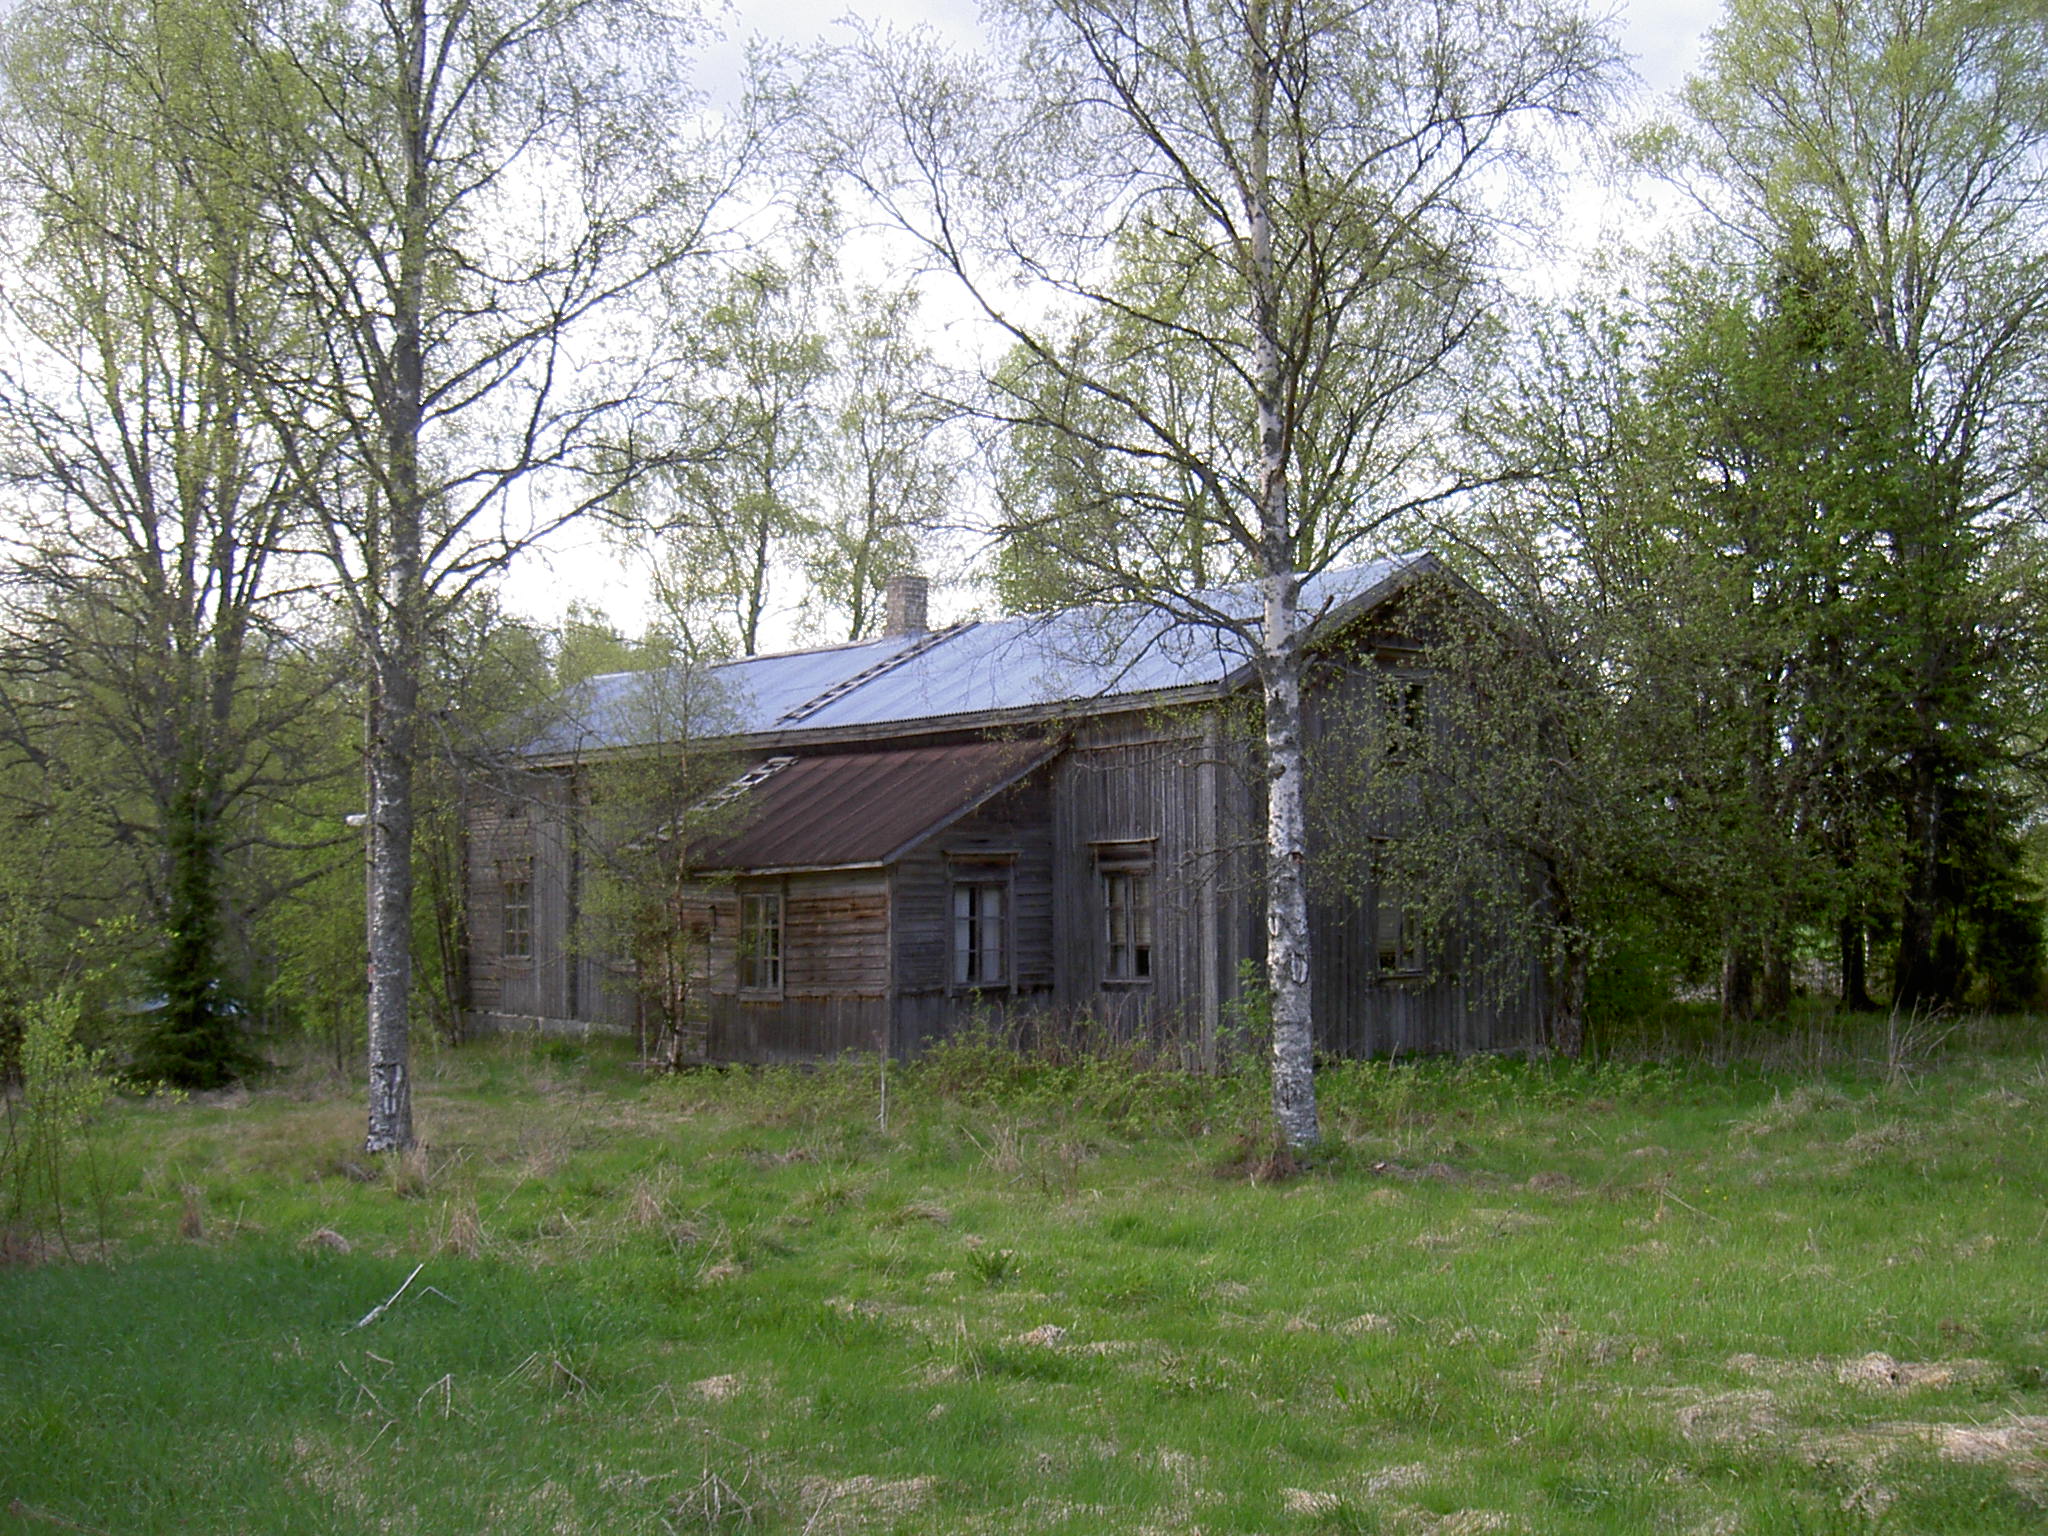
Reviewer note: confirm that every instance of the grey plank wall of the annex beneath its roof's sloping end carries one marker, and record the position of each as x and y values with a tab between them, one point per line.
1015	833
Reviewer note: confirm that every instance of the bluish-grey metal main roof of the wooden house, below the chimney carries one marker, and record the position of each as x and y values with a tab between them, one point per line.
1033	665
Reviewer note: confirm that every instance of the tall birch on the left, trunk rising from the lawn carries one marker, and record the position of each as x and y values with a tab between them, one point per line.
484	200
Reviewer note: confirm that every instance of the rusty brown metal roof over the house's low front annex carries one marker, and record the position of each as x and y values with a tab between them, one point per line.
863	808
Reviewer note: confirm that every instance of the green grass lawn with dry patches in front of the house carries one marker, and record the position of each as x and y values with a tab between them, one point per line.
1504	1299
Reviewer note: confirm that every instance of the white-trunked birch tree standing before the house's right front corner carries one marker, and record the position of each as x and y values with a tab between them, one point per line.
1287	202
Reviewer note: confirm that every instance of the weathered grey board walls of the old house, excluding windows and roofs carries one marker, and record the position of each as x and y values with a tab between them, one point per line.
869	953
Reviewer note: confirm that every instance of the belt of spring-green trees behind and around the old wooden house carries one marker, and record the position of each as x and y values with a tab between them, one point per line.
318	318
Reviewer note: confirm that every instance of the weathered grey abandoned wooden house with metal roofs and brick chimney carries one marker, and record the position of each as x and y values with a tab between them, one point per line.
1027	824
